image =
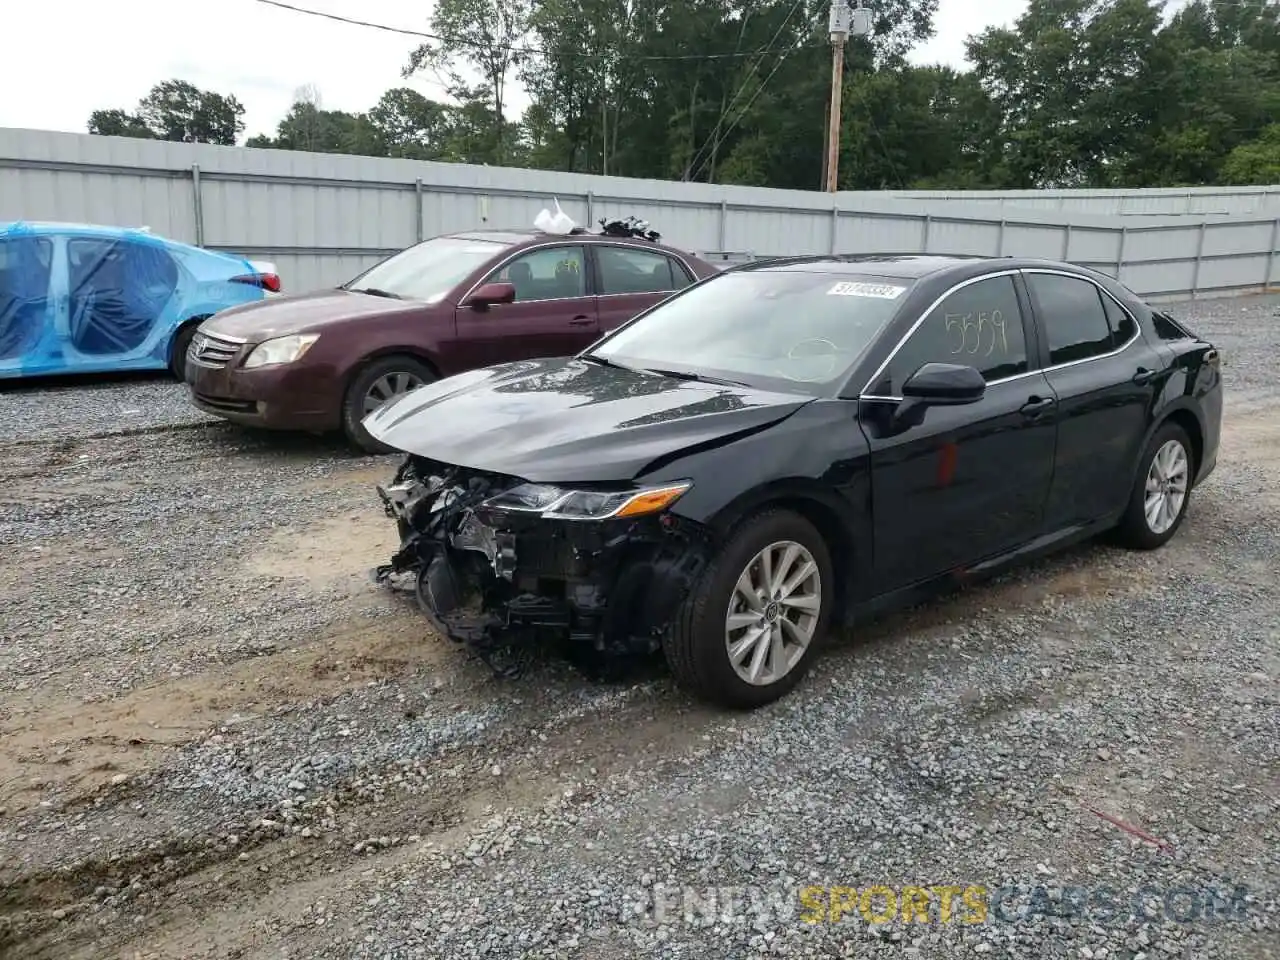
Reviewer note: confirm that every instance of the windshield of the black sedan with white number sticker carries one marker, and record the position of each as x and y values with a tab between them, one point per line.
792	330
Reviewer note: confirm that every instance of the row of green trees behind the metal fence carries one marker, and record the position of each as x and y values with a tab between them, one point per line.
1077	93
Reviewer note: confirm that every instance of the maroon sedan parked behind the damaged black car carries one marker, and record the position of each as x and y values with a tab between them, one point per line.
324	362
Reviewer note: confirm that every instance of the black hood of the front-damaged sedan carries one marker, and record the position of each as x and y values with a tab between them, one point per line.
570	420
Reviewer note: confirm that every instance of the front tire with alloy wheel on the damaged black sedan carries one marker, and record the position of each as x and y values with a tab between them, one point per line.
755	620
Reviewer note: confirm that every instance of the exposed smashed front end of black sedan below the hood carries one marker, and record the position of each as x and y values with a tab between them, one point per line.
499	564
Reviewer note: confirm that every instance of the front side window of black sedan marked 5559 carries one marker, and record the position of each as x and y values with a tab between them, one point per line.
980	326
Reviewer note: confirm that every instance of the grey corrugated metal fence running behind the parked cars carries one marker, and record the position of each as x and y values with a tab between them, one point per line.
323	218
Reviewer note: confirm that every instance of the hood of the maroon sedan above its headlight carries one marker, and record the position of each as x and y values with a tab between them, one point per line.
310	312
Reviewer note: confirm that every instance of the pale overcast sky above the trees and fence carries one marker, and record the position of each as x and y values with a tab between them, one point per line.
67	58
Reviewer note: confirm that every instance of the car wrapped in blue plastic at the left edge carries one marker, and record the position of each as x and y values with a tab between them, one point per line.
84	299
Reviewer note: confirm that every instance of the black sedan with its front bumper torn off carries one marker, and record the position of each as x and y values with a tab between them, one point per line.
790	446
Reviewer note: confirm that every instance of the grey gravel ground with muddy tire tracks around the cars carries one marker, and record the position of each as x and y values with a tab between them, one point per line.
220	739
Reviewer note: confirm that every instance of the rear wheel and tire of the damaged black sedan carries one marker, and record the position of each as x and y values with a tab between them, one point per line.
1162	491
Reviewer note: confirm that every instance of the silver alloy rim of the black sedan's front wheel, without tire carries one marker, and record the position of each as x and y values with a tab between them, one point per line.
774	614
